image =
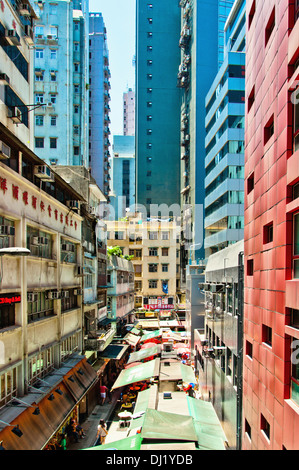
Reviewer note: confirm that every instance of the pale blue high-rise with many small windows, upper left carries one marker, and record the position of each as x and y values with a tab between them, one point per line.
61	76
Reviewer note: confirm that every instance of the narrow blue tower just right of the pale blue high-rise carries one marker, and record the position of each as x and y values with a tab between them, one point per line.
99	97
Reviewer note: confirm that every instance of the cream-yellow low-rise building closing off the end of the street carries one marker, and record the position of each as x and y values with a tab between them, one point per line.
154	246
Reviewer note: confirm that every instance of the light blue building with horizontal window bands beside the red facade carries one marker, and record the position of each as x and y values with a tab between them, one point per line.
224	162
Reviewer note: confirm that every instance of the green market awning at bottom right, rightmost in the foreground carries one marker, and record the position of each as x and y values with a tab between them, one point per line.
207	423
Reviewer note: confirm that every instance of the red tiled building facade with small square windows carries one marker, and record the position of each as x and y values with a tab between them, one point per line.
271	236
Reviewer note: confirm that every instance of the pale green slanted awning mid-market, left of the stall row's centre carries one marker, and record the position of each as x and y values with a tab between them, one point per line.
138	373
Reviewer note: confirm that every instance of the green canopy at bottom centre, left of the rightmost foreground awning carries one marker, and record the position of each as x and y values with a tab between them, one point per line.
161	425
